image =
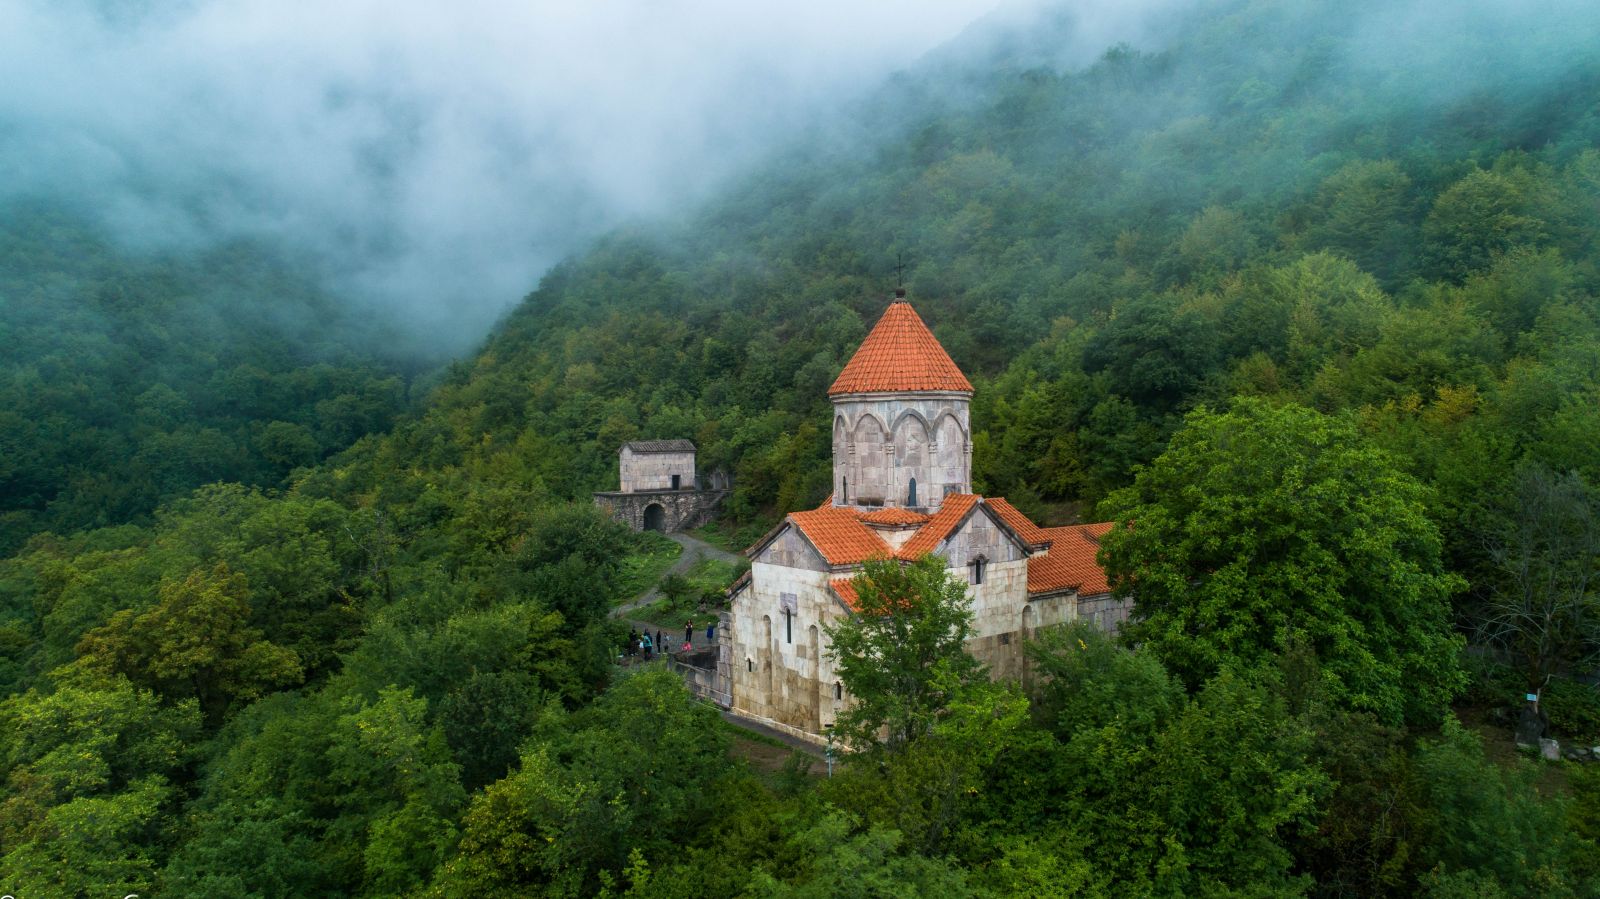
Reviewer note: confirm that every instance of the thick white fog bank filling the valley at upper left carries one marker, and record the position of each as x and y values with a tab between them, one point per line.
431	159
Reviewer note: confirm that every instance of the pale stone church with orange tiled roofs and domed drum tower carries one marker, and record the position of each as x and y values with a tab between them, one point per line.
903	463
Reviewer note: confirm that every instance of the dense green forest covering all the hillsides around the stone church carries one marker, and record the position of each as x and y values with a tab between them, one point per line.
1310	294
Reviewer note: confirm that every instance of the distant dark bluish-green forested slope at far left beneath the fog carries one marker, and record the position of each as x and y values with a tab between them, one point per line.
132	378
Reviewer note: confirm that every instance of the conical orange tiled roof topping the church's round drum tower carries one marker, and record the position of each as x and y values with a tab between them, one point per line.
900	354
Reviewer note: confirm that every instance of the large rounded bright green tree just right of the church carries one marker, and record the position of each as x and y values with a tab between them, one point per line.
1266	527
